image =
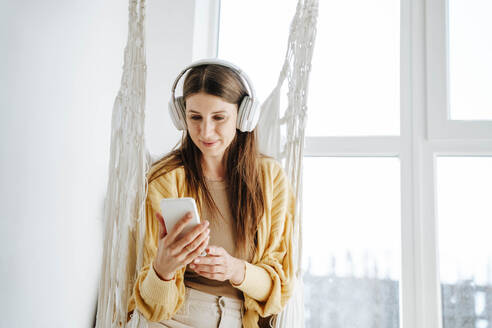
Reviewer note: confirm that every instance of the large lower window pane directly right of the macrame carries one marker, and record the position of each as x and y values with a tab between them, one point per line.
351	242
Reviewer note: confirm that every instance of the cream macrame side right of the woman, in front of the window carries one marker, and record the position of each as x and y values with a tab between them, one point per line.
283	137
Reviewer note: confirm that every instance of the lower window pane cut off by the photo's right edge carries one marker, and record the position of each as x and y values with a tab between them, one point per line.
464	198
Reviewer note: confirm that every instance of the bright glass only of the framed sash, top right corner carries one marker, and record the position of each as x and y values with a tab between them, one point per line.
470	53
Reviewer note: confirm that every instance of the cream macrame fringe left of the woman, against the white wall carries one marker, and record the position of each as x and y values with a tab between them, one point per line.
126	190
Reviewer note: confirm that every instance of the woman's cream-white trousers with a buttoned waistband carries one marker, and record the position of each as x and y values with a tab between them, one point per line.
204	310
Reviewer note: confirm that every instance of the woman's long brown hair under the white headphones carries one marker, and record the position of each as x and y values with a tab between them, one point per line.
241	157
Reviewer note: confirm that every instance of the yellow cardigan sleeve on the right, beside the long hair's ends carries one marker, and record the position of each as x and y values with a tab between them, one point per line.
276	260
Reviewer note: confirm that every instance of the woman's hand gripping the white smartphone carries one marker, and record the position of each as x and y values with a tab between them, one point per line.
173	252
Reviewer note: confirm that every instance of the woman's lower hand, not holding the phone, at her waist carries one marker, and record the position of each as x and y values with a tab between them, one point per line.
219	265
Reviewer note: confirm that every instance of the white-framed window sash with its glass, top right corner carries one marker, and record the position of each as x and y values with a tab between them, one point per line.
459	71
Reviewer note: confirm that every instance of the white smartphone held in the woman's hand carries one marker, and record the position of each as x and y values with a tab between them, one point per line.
173	210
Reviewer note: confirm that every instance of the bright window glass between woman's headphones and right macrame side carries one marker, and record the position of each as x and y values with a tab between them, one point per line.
253	34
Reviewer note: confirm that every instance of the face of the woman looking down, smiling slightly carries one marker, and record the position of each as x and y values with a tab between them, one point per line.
211	123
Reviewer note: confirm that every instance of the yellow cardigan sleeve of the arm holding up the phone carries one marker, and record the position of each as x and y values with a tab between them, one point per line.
156	299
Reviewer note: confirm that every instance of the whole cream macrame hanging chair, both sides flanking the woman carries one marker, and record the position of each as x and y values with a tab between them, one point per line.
129	163
